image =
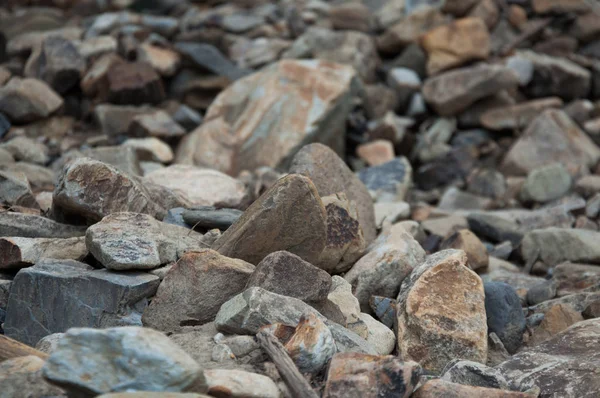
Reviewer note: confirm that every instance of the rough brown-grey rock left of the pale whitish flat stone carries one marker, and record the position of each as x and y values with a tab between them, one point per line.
93	190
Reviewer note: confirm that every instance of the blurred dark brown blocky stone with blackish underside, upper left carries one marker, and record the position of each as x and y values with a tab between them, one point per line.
134	83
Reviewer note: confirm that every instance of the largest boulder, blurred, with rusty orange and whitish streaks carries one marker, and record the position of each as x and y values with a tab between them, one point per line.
260	135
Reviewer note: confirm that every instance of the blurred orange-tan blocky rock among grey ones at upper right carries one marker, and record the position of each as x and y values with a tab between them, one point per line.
455	44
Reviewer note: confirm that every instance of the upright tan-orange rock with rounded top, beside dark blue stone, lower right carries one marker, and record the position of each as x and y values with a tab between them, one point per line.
441	312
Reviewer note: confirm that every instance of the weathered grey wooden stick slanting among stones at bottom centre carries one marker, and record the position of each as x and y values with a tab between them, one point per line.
299	387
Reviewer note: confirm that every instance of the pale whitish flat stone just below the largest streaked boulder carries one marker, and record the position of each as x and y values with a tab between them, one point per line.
201	187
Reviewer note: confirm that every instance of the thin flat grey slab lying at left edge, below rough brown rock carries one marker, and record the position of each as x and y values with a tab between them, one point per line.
35	226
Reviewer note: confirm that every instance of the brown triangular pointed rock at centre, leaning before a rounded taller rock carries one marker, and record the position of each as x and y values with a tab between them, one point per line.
289	216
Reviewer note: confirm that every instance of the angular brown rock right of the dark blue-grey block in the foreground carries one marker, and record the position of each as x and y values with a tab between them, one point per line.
192	292
